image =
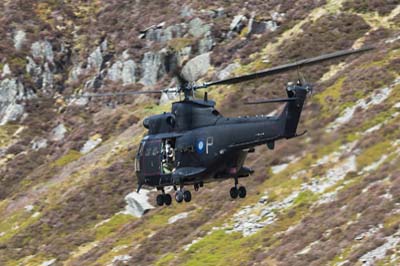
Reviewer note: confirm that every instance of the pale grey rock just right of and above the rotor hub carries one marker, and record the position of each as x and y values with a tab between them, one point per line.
196	67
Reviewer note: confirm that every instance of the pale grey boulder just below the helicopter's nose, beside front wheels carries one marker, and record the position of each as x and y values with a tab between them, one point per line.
137	203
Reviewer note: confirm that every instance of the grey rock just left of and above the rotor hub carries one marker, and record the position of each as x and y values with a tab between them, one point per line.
152	68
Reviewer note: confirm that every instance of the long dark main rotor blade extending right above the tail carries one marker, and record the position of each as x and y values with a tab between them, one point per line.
286	67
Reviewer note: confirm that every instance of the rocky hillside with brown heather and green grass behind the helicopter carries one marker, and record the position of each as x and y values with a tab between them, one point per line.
331	197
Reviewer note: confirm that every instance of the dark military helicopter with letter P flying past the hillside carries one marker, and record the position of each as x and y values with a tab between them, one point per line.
194	144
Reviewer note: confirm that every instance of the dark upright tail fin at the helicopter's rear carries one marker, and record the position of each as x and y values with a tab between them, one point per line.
290	116
